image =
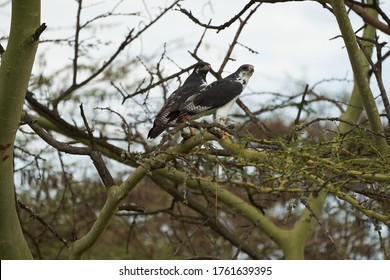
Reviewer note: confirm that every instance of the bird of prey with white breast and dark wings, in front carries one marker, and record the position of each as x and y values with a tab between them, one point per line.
217	98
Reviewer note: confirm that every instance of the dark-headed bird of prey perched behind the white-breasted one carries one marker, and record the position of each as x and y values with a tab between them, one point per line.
194	83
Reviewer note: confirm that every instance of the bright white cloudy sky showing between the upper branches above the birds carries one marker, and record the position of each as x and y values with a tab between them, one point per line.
292	40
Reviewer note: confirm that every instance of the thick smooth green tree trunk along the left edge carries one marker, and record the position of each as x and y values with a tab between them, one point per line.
15	71
